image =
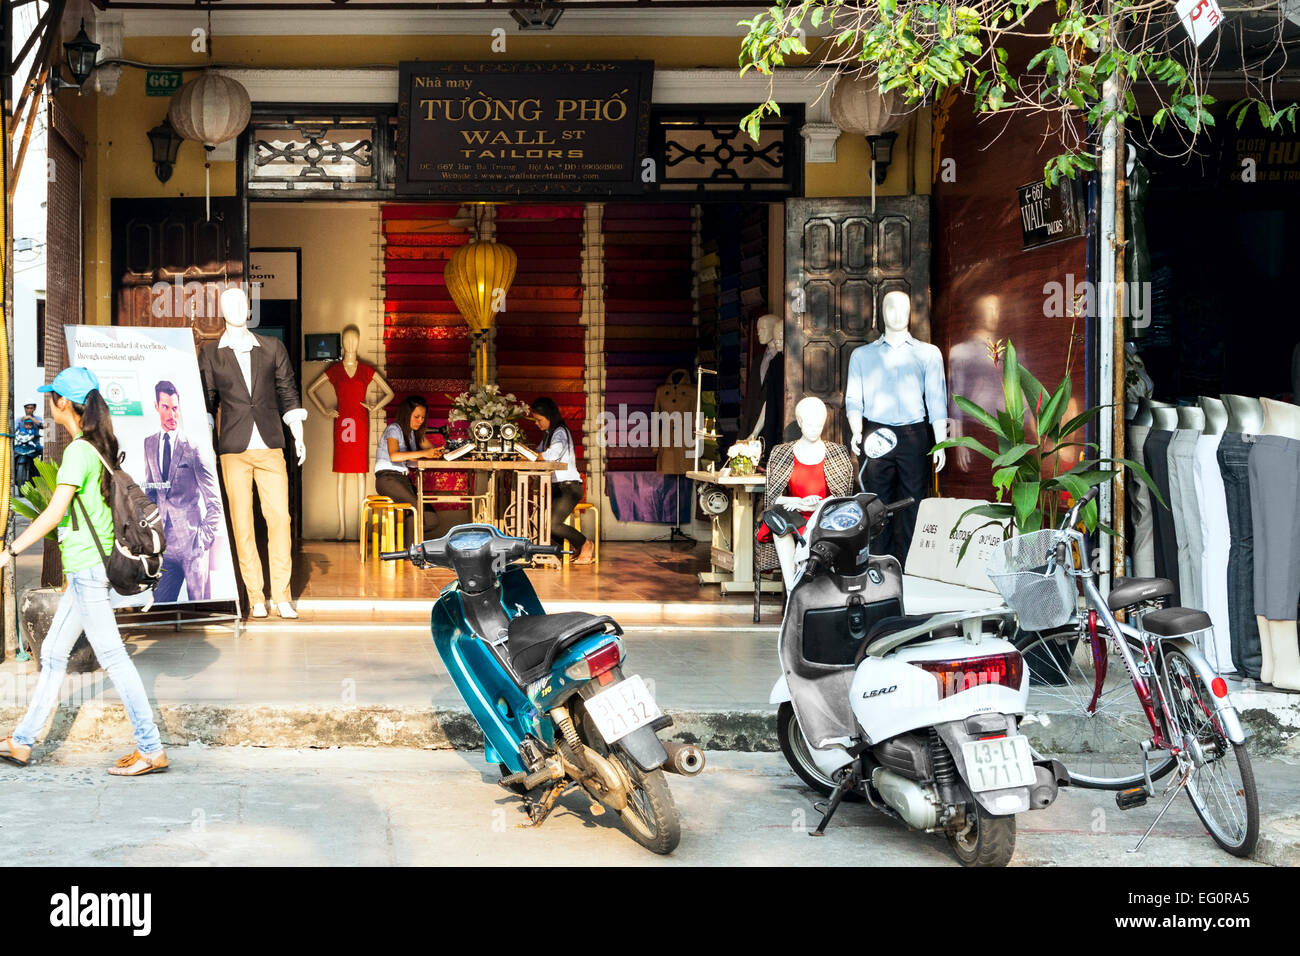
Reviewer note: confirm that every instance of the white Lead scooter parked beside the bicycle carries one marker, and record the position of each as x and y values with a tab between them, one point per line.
916	715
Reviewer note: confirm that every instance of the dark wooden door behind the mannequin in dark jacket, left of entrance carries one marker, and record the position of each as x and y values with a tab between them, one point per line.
171	263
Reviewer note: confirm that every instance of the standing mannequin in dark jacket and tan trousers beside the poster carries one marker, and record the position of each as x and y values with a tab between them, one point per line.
250	380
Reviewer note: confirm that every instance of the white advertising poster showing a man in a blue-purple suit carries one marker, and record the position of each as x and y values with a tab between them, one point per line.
150	380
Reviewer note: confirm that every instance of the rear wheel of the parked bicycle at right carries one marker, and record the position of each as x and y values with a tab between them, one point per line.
1223	786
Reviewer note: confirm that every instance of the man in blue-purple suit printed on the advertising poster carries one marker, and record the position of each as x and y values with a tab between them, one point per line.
176	479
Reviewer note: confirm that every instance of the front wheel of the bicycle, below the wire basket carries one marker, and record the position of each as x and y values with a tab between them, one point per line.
1099	746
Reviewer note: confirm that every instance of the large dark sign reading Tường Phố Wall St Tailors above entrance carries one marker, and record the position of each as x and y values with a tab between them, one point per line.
525	128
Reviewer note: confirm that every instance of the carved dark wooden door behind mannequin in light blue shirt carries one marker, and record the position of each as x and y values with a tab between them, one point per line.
840	261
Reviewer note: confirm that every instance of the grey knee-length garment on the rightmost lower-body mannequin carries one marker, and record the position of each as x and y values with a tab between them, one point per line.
1275	475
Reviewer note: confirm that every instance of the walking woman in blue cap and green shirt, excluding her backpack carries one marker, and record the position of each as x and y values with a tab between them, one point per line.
81	412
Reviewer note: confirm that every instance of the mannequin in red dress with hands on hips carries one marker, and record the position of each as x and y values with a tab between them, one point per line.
352	382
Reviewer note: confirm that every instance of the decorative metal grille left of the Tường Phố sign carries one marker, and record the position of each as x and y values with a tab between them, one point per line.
311	155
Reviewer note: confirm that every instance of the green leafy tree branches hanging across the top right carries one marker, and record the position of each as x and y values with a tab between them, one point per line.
924	47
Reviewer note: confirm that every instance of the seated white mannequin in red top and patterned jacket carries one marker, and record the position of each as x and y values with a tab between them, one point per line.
801	474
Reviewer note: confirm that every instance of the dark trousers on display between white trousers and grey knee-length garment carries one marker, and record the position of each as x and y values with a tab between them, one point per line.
1234	456
